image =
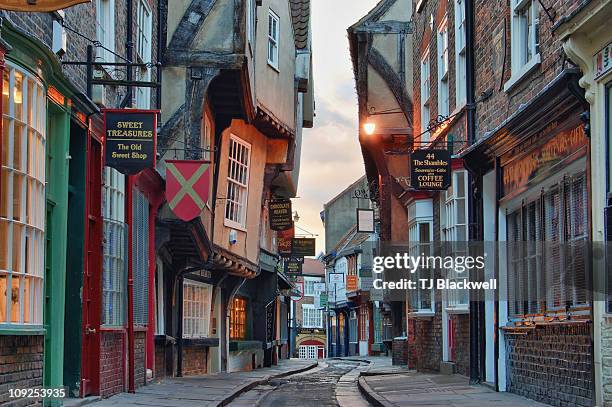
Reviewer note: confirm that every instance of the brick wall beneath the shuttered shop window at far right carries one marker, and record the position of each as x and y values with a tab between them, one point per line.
552	364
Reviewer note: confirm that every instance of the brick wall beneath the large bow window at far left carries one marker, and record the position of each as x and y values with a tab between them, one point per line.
21	366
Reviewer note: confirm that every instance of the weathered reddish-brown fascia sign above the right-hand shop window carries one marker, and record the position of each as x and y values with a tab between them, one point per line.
540	161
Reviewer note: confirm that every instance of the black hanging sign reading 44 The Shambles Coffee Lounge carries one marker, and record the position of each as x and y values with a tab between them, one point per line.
430	170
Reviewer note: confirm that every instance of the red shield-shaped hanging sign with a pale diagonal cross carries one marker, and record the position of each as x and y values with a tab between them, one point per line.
187	187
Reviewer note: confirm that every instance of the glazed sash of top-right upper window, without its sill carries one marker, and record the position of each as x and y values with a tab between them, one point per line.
525	43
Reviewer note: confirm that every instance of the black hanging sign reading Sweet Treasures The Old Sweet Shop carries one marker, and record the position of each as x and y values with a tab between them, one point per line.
130	139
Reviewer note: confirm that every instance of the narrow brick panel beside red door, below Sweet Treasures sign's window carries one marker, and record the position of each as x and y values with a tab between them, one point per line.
112	362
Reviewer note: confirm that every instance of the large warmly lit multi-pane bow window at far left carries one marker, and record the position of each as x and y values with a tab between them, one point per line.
22	199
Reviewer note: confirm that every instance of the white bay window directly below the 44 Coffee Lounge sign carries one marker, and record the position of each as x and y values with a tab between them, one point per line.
420	231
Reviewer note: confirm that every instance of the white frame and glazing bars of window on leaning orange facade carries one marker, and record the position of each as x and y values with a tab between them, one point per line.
241	222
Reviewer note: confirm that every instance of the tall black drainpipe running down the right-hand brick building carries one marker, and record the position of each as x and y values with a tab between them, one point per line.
471	137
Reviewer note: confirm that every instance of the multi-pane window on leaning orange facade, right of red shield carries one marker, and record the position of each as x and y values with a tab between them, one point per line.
237	182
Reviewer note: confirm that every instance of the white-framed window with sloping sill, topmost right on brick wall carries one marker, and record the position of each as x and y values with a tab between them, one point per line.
524	33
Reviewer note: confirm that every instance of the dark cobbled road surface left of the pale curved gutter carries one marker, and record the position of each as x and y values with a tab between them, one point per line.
312	388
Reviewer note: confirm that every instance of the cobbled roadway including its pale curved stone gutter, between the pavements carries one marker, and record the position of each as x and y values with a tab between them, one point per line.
332	383
